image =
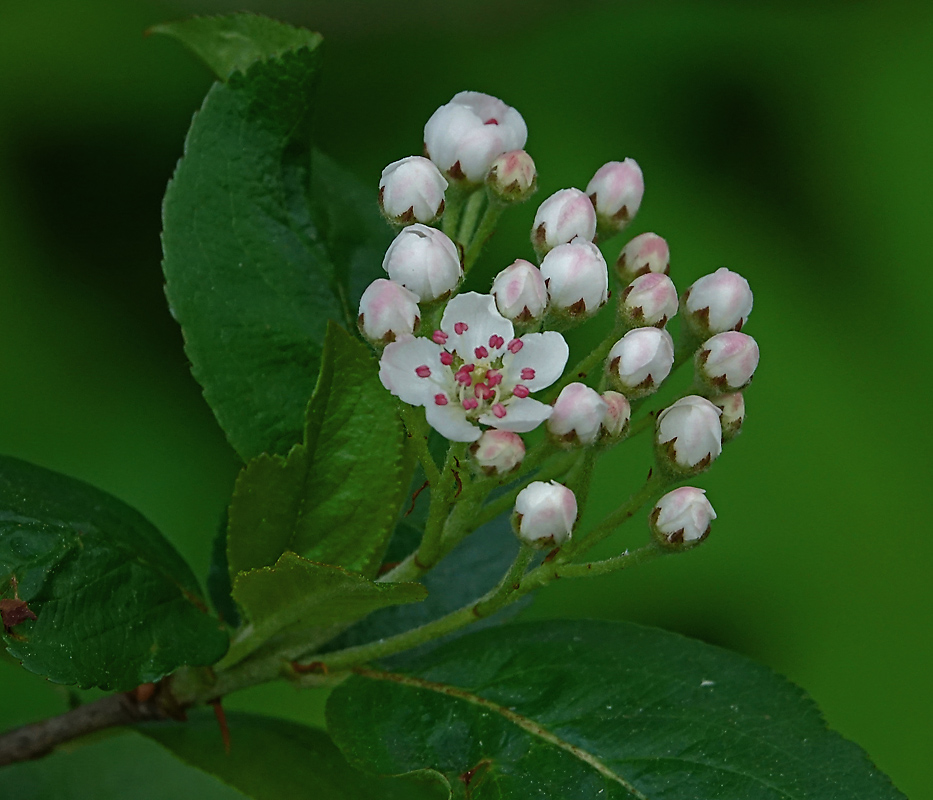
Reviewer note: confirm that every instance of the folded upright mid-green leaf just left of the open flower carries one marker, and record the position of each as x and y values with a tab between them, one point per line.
334	498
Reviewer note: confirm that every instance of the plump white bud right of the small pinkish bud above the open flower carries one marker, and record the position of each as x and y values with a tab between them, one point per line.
576	277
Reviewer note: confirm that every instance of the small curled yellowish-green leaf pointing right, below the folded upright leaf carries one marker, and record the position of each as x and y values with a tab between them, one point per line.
301	594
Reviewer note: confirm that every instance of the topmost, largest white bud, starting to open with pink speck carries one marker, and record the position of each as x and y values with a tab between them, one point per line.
465	136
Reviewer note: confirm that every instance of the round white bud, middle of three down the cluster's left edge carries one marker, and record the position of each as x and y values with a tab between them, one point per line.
425	261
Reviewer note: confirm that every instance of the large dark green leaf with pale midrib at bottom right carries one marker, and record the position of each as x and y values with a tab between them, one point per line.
595	709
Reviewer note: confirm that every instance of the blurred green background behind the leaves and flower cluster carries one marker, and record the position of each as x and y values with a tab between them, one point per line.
788	141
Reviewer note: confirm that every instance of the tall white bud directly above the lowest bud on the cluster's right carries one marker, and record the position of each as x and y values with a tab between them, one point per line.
688	435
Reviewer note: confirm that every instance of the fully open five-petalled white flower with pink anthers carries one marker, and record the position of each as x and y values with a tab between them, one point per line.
474	370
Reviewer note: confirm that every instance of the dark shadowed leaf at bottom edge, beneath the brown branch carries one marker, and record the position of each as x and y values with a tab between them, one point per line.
271	759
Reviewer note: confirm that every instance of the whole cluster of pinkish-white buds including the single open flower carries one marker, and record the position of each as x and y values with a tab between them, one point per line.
475	367
